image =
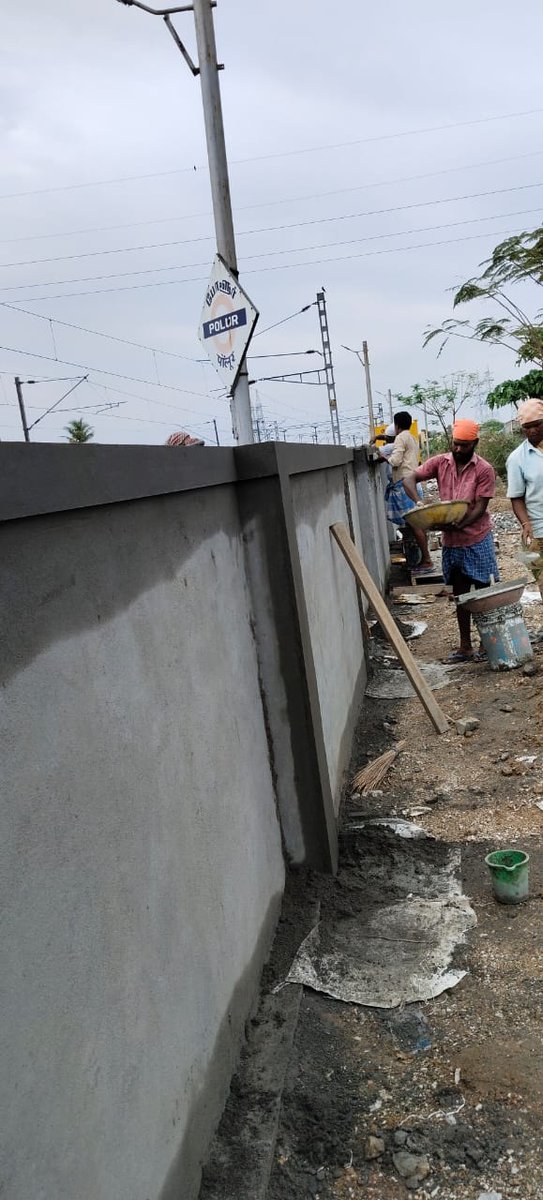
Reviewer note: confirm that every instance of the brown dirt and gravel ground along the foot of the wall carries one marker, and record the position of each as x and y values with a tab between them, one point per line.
457	1082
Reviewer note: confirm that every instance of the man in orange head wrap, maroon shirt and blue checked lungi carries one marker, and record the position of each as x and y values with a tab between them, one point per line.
469	554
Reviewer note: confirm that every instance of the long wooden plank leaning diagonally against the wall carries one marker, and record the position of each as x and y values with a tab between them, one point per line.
373	595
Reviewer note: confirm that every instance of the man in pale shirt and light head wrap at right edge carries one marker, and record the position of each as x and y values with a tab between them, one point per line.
526	482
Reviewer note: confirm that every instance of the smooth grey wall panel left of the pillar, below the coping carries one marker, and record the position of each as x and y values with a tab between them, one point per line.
142	865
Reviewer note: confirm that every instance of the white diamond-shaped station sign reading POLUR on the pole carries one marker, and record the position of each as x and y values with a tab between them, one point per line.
228	322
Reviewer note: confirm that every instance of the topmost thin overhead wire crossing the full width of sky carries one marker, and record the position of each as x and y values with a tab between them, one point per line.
283	154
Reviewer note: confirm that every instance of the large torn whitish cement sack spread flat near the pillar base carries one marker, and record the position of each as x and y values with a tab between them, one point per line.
387	956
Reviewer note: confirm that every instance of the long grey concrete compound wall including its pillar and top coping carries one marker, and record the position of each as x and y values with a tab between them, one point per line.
172	711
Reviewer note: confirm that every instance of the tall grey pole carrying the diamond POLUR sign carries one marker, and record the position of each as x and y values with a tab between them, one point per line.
208	70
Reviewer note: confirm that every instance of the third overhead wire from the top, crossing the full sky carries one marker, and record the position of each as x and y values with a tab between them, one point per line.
282	229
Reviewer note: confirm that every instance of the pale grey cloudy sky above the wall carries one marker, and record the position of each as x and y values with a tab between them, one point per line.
379	152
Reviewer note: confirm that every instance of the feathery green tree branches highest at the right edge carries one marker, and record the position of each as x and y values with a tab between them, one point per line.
516	261
